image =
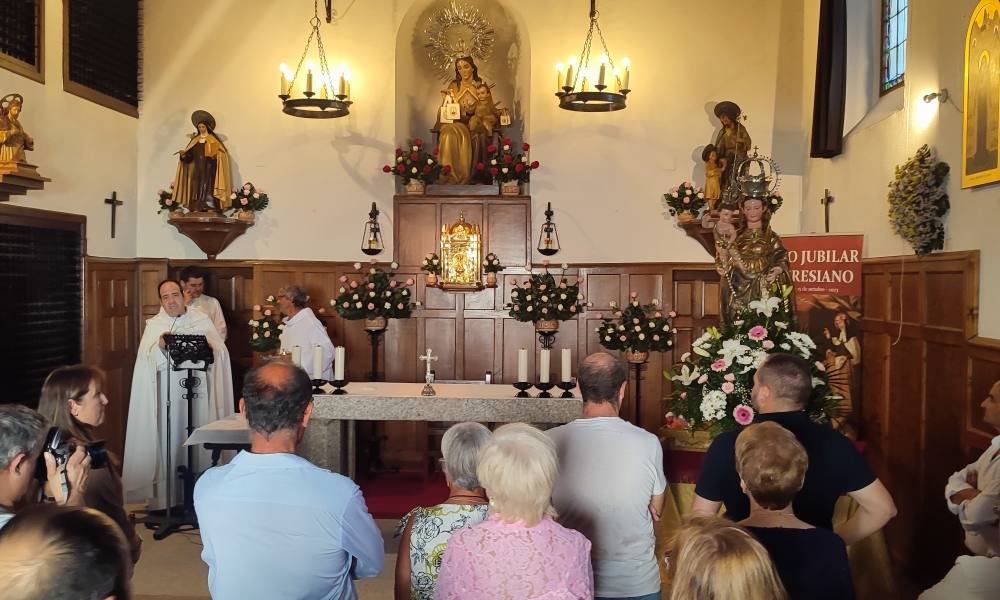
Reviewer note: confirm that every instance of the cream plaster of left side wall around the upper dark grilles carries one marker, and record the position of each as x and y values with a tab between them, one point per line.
87	150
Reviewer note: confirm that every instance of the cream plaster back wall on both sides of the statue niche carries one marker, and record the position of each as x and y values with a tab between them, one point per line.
603	173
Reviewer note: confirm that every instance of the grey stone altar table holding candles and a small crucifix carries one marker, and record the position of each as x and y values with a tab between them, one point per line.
329	439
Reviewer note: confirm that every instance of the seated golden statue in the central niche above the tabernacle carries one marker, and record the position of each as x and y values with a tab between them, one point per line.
466	123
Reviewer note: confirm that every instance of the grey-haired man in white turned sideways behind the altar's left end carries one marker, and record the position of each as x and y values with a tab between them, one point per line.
304	330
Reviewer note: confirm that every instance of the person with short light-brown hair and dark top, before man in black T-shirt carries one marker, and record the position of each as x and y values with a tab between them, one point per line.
811	561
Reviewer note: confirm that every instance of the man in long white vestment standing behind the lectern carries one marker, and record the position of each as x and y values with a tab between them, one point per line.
145	469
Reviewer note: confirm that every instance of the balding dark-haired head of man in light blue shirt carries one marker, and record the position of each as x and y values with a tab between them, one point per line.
276	395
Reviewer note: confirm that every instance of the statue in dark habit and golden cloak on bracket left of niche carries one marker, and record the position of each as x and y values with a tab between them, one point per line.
203	180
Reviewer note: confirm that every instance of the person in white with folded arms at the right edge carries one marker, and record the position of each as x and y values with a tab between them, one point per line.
973	493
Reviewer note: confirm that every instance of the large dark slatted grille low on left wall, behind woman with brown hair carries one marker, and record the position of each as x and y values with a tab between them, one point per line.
40	306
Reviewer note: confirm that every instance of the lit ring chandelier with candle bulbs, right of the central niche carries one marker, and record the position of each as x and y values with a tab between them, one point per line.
583	89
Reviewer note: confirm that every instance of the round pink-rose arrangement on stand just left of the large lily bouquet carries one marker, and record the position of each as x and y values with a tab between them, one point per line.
637	327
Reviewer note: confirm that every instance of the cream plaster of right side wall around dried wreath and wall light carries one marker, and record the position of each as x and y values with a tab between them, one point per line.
859	178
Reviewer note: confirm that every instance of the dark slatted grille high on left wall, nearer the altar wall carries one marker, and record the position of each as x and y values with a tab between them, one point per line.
103	47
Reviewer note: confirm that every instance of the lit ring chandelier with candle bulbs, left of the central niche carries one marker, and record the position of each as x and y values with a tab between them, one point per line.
333	99
